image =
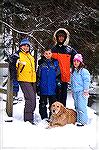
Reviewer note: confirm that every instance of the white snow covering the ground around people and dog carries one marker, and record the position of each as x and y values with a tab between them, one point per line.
23	135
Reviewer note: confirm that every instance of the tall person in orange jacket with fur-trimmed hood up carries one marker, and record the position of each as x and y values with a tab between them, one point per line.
64	54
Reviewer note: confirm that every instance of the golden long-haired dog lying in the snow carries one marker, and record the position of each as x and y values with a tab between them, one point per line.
61	116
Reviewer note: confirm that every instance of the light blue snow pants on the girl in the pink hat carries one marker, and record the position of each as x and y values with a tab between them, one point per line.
80	102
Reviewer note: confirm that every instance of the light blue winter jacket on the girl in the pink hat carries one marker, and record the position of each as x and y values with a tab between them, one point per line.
80	81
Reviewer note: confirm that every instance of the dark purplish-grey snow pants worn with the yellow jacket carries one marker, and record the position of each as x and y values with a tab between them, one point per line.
29	91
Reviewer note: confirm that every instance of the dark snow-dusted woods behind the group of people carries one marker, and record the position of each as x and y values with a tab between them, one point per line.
38	20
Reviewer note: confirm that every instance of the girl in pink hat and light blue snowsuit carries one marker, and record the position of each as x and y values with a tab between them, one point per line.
80	82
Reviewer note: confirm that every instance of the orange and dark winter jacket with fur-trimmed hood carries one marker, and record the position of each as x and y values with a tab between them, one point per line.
64	54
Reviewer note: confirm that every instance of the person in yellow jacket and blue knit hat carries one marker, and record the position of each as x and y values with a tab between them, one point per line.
23	70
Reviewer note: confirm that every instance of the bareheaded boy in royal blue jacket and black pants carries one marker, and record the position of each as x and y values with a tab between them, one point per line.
47	73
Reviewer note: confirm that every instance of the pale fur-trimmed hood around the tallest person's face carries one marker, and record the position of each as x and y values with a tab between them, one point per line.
67	33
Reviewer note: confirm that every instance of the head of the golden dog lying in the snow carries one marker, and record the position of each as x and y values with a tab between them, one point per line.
57	108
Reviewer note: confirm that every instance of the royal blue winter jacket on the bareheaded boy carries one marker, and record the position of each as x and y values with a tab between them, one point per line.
47	73
